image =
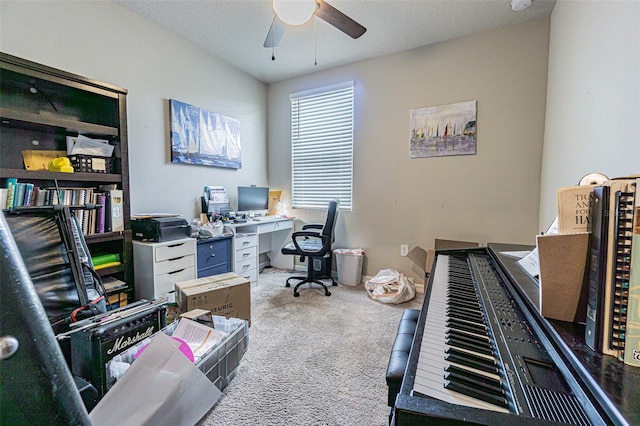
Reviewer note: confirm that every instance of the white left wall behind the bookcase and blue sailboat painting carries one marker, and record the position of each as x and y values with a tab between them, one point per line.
103	41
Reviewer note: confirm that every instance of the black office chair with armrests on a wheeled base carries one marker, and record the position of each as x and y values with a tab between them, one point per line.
316	245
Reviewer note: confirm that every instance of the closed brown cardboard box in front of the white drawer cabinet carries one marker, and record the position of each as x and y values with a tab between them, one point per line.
227	295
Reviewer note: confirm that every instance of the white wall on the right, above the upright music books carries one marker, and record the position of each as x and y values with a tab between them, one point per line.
593	96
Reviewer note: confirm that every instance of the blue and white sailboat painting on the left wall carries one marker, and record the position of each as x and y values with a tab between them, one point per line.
204	137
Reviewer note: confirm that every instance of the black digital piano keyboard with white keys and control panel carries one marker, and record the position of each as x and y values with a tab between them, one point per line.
477	356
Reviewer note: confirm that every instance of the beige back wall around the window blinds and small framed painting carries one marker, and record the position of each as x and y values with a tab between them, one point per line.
491	196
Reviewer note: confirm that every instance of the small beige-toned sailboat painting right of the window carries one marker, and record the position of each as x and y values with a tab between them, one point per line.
444	130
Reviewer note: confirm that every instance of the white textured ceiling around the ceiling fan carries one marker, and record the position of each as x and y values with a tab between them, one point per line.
235	30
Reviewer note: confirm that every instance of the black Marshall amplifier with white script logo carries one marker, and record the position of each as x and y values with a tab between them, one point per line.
94	345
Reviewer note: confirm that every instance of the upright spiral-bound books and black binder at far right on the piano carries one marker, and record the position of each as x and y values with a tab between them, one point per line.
613	306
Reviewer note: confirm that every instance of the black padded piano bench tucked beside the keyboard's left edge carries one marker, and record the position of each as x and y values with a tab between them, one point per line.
400	353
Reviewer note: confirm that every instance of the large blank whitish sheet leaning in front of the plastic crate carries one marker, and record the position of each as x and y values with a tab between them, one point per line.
162	387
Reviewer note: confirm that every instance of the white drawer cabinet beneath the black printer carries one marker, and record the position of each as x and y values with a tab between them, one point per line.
158	266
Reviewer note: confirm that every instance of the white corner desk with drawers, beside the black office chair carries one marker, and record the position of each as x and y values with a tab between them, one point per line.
257	244
